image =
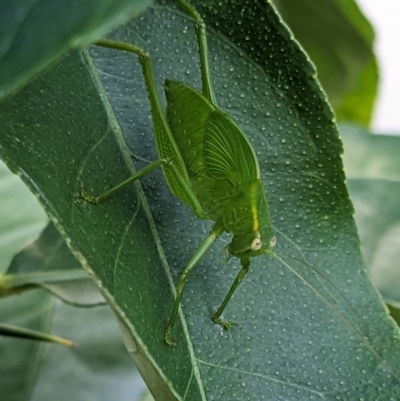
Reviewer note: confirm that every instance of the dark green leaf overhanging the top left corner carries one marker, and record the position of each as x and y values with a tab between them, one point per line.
34	35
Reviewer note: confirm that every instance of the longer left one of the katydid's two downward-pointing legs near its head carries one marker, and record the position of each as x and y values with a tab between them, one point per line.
217	230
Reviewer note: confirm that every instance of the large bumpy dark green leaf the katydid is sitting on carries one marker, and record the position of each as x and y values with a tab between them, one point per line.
65	128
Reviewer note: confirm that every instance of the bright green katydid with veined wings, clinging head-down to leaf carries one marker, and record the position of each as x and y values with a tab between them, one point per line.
209	164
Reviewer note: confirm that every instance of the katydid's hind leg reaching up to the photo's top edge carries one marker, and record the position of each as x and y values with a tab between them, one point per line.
208	90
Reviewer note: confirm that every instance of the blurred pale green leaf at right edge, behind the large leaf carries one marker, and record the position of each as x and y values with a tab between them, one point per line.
373	170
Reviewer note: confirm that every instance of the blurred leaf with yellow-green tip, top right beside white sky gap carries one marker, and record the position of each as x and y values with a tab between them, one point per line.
339	40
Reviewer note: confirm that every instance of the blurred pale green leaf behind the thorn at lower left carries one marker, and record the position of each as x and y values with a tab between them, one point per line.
98	368
